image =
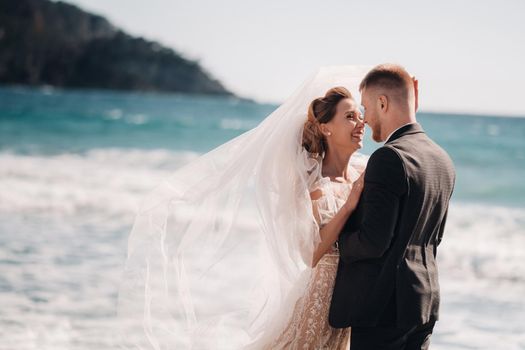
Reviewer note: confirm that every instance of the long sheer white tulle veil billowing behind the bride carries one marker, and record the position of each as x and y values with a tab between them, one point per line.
219	252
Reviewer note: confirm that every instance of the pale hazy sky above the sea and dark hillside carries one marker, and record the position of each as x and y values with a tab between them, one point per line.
469	56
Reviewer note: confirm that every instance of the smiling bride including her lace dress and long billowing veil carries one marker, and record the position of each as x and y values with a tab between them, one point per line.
237	249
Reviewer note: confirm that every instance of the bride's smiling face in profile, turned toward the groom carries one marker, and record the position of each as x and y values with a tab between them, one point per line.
346	129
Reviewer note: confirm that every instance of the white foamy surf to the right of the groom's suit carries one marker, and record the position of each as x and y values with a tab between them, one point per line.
482	279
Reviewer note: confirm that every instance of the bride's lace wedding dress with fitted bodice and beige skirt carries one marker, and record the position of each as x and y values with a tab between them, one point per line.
308	327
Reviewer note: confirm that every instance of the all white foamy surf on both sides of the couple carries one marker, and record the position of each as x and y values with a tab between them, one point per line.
64	221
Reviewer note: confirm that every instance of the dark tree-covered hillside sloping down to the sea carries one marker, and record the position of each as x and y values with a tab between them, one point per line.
54	43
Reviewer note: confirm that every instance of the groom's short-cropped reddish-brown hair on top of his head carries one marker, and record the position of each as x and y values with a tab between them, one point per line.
390	77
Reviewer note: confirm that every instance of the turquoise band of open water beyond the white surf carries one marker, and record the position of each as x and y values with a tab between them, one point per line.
488	151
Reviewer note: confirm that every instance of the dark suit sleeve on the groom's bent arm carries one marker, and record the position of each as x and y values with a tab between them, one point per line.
385	185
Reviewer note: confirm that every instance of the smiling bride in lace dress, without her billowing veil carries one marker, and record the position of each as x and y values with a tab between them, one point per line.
335	129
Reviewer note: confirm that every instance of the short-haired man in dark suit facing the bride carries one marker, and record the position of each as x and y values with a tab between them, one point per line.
387	285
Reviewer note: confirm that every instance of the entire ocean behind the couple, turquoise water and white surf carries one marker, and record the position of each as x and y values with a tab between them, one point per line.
74	166
